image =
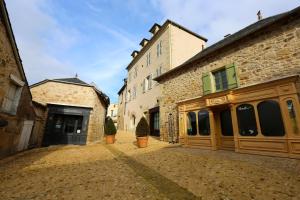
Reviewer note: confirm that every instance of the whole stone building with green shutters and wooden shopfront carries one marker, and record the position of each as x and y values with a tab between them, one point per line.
241	93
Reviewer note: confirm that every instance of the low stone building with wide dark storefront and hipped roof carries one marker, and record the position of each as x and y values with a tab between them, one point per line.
75	110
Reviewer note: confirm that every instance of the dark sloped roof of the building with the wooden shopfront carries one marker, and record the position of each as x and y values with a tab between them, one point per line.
259	25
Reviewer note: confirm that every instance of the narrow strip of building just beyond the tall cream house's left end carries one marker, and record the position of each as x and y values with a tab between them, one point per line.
122	106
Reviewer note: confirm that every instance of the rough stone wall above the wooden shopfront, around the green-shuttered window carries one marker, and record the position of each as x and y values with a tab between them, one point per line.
268	54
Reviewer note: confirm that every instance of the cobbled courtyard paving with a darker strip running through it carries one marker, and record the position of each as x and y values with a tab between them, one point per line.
161	171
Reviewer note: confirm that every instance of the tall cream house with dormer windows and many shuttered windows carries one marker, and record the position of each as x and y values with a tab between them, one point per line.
170	45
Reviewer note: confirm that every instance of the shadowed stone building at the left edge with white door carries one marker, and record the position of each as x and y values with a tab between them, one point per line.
16	110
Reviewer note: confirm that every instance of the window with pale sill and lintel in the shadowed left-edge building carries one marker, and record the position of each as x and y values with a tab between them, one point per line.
12	98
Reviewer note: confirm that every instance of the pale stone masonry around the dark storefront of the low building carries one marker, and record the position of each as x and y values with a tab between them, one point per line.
74	95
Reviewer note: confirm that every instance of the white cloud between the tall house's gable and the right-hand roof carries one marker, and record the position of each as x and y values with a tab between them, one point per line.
213	19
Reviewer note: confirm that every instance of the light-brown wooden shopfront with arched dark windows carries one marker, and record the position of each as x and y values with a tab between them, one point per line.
260	119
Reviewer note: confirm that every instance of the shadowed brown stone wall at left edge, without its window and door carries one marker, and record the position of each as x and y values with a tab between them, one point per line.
10	134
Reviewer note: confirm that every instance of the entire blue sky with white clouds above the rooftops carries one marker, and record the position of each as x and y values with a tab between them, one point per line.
94	38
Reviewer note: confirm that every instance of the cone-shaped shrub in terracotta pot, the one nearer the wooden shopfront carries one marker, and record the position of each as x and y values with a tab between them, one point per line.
142	131
